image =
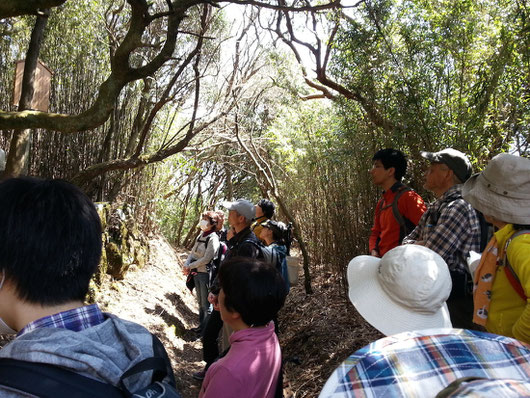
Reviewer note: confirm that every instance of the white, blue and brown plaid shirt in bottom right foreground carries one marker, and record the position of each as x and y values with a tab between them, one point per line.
420	364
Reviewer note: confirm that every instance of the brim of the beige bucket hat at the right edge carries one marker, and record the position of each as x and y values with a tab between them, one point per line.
503	208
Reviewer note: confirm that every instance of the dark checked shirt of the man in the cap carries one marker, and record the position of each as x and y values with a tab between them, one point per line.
456	232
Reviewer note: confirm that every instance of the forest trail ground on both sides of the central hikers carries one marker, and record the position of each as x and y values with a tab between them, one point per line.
318	331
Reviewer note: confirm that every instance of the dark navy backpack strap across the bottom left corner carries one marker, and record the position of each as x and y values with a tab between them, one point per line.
50	381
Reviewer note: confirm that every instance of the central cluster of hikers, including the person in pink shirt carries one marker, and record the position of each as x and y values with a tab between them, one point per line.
257	247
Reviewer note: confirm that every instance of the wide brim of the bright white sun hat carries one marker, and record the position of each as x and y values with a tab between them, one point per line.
374	304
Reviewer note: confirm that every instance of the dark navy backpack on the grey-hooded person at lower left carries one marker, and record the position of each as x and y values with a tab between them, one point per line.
51	381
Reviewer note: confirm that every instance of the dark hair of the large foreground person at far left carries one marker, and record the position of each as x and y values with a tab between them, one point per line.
50	239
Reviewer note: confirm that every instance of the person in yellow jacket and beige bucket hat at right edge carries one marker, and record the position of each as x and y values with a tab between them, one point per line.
502	280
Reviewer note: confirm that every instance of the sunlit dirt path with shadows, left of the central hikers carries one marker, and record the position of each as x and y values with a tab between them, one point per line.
156	297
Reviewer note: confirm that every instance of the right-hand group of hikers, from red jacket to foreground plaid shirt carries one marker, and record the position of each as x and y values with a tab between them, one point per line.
458	322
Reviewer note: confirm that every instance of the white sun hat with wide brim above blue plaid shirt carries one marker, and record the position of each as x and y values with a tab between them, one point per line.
404	291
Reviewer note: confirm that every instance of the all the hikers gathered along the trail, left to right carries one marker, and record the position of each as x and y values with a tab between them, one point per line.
419	275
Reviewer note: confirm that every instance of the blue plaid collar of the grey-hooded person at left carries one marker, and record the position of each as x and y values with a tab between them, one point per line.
75	320
